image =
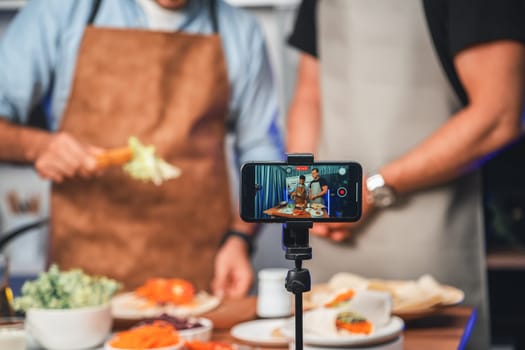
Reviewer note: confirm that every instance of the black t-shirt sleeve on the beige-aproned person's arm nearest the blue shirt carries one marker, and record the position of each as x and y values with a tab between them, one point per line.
304	34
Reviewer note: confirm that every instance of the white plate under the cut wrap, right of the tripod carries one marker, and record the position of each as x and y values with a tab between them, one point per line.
381	334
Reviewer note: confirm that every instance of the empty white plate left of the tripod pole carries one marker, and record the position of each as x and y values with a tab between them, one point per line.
261	332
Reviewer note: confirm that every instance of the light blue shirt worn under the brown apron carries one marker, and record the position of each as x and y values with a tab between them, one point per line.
38	53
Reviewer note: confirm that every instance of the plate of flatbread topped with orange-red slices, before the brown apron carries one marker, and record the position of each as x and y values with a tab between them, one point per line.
174	297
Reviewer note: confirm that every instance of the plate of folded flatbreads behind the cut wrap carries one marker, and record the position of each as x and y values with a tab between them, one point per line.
411	298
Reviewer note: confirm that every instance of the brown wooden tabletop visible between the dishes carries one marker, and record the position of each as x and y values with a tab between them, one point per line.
441	331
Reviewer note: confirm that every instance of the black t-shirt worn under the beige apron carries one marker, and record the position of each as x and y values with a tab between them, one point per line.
454	25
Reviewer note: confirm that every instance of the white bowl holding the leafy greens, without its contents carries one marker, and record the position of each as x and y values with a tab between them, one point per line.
70	329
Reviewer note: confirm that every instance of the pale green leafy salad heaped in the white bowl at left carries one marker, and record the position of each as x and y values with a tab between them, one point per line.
56	289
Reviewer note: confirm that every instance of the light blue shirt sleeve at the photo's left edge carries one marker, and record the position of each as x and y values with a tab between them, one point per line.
27	55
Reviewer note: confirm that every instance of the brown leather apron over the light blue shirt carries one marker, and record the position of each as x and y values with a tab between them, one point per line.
170	90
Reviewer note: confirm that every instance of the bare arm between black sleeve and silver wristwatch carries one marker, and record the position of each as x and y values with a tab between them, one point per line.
493	77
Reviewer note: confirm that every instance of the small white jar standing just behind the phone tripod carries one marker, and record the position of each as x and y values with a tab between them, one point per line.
273	299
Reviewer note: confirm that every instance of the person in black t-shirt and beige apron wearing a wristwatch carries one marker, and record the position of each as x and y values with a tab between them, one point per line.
387	104
